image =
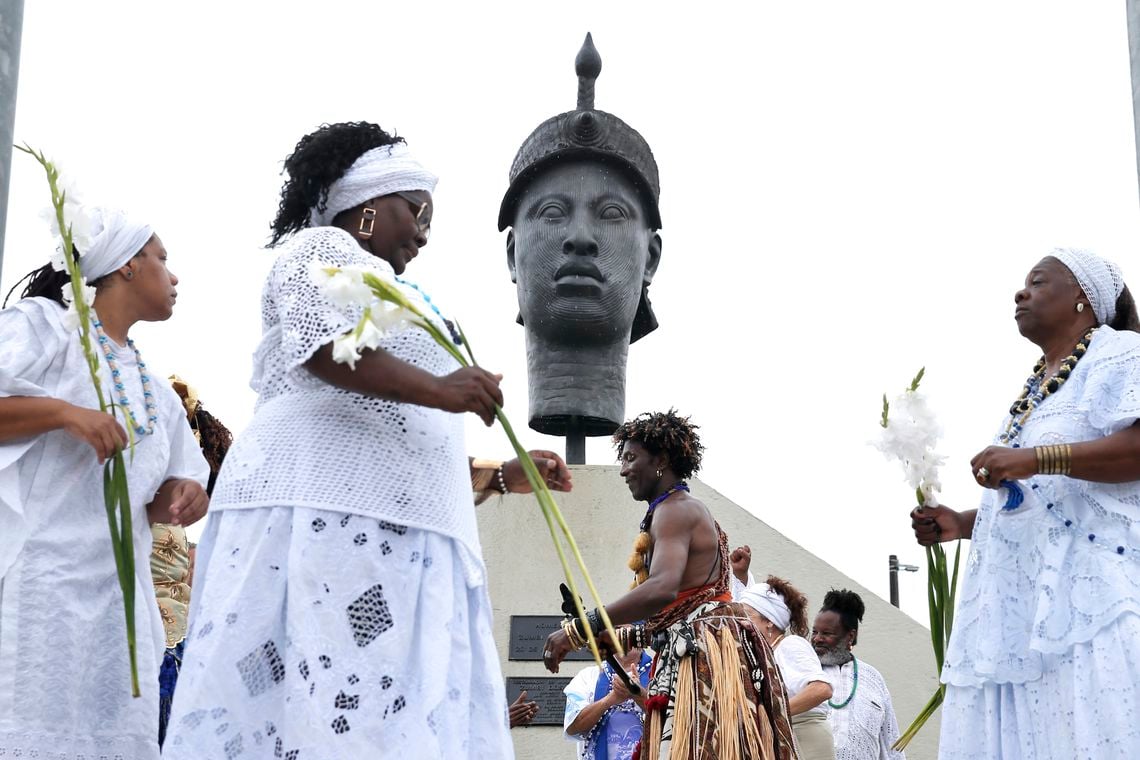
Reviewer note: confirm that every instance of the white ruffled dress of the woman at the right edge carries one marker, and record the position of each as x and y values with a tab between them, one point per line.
1045	660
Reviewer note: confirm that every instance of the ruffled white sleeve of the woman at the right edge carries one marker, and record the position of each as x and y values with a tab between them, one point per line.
1112	390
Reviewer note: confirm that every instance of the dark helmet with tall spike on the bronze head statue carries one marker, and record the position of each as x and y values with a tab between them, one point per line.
597	136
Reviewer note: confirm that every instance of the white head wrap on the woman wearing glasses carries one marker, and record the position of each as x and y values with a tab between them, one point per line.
381	171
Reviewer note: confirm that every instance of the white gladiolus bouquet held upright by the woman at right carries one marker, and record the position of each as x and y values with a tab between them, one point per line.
910	434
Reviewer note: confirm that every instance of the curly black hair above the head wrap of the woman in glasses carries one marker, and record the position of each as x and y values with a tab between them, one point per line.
321	159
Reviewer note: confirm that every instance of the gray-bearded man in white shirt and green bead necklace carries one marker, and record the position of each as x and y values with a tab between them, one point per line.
862	717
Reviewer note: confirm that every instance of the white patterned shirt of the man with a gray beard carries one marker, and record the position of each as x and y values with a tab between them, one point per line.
866	728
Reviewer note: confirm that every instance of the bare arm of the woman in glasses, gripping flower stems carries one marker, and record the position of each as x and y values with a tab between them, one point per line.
382	375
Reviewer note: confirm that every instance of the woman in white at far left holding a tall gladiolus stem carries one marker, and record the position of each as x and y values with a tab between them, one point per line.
66	689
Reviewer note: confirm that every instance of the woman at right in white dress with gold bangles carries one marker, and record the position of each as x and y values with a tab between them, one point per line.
1045	660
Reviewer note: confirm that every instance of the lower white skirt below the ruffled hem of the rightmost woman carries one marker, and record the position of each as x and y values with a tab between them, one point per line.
1086	706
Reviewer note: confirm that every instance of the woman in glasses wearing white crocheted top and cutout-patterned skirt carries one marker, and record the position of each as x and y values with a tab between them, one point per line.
340	607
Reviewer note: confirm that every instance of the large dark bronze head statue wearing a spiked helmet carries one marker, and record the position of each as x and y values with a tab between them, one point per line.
583	248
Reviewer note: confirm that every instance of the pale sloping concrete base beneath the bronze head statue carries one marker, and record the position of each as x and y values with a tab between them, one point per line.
525	576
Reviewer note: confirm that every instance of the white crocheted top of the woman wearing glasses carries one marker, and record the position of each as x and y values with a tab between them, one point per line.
313	445
